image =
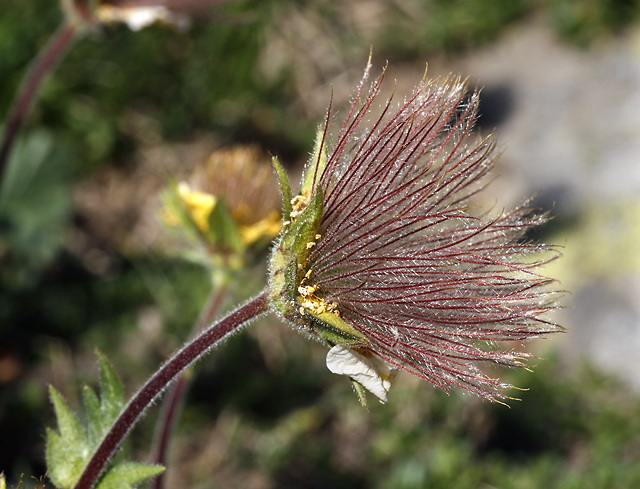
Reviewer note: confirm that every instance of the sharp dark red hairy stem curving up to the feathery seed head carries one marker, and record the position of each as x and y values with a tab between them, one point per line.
160	381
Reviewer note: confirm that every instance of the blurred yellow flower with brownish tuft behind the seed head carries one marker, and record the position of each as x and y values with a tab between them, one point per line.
229	204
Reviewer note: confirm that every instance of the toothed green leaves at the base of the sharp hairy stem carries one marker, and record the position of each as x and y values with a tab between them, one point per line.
70	449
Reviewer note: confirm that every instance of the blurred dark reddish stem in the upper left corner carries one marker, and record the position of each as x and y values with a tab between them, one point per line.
43	64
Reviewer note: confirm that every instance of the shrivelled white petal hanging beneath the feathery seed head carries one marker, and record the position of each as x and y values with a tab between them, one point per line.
373	373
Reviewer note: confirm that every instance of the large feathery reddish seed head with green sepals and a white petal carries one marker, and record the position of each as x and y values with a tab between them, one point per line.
385	258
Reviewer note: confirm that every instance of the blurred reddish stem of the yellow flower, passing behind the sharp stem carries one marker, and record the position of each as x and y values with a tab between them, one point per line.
172	404
